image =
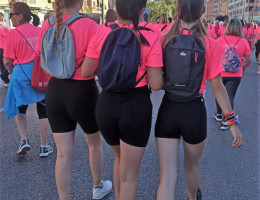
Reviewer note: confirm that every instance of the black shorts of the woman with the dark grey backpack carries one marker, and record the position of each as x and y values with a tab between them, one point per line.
182	119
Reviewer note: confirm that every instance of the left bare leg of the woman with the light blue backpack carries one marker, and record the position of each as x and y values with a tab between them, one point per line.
65	146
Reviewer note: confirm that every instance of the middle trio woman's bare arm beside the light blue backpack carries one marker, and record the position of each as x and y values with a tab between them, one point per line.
89	67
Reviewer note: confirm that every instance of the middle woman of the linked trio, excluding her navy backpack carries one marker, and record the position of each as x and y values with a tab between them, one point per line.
124	118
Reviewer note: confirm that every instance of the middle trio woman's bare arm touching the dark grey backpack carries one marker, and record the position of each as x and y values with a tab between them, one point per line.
155	78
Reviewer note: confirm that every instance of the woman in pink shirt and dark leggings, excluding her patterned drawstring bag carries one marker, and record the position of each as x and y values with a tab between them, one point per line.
233	37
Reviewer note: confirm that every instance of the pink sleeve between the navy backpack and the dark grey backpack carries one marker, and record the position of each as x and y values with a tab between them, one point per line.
155	58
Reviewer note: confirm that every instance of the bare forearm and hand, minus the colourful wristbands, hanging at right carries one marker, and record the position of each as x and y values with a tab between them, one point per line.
223	101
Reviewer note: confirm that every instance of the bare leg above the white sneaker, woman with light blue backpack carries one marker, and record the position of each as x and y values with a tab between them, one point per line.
95	156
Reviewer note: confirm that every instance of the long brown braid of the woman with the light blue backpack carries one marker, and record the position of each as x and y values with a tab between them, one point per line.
60	5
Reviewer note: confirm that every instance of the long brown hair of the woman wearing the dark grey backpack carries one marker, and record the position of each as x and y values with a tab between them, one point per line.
188	11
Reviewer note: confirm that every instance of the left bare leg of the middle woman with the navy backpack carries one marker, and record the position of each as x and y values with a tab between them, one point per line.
116	179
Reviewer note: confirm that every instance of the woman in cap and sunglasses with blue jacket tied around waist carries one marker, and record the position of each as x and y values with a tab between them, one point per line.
19	53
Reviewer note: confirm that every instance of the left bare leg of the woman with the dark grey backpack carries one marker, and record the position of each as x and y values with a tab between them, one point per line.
168	157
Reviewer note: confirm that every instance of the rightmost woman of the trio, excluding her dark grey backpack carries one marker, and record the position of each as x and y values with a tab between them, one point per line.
188	119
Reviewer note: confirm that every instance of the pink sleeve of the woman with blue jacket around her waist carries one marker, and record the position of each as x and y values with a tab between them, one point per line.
9	51
